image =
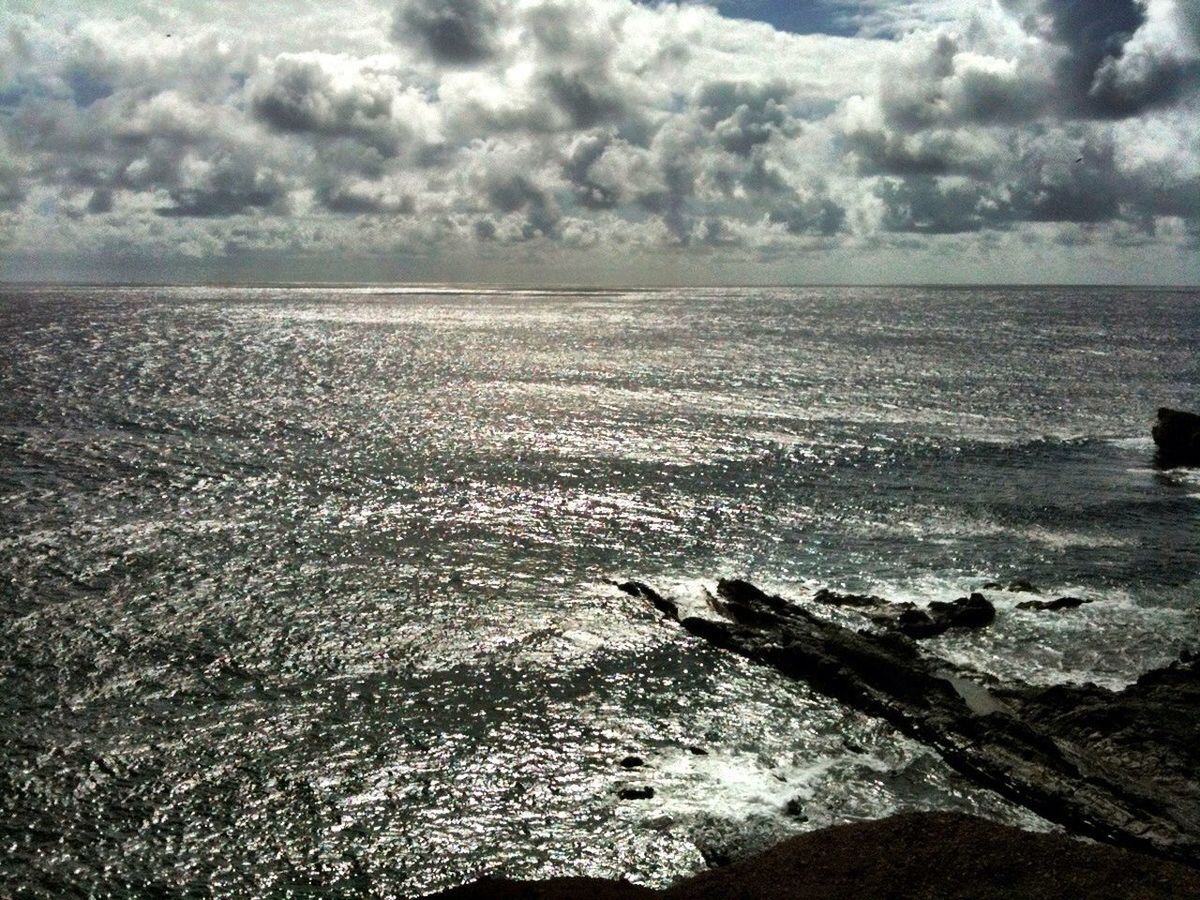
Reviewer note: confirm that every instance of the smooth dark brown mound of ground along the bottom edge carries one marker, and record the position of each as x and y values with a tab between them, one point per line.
919	855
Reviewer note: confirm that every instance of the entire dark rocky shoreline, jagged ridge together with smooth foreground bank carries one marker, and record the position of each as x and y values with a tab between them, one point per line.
1118	767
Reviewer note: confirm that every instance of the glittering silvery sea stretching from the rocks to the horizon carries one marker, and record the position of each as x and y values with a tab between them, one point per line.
304	591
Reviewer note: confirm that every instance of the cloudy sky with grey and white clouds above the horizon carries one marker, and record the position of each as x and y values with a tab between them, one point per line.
602	142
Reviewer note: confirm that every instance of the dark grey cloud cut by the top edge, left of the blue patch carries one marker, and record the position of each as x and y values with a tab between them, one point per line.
452	32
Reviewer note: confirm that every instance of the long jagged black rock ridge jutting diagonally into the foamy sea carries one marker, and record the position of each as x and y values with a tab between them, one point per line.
1115	766
